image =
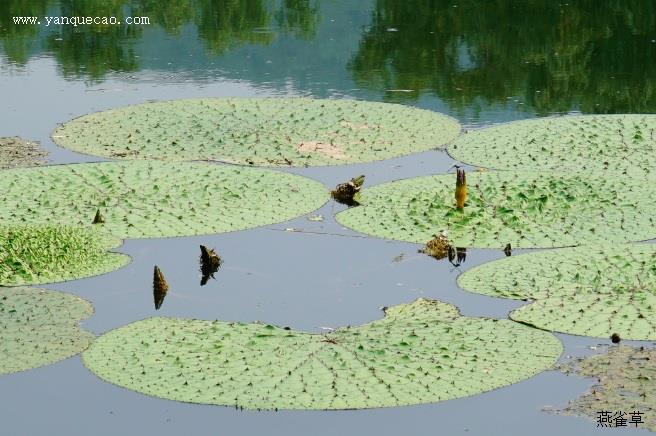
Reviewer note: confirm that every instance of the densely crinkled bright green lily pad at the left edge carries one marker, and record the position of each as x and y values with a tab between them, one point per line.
32	255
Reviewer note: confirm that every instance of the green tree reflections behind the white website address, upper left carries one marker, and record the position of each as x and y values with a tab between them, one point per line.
92	51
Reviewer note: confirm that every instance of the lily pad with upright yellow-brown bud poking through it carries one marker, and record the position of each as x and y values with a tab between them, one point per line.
527	210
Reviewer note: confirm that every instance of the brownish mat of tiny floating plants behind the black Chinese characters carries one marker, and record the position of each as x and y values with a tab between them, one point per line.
626	384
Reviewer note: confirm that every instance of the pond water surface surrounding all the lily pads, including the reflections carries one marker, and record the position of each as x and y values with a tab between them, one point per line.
482	62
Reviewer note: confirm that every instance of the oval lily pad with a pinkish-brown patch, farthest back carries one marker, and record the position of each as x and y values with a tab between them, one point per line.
265	132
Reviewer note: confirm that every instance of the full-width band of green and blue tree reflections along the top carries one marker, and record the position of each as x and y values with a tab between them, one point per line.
528	57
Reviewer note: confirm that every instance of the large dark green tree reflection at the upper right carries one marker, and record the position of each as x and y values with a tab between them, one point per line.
586	55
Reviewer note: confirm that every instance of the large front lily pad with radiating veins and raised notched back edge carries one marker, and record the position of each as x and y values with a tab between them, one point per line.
420	352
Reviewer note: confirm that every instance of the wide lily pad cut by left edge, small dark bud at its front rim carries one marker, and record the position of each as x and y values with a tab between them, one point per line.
156	199
